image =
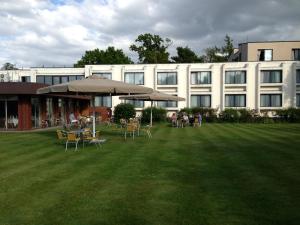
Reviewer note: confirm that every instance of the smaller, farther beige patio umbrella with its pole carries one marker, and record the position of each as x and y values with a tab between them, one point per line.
154	96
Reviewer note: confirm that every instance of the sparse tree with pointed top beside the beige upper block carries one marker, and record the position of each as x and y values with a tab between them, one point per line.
219	54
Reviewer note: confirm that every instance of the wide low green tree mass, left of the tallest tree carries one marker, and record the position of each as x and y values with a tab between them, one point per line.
108	56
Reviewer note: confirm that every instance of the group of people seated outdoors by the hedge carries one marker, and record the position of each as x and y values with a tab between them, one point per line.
183	119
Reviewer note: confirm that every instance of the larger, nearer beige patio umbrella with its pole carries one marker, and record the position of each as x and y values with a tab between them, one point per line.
93	86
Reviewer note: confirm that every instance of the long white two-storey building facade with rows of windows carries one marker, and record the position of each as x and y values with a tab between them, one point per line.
262	86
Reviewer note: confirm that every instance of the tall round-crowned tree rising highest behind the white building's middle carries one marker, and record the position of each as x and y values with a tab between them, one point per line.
151	48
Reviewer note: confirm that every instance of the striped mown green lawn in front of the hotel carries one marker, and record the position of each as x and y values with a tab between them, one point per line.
216	174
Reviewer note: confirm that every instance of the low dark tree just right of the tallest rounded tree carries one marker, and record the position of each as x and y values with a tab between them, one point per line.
186	55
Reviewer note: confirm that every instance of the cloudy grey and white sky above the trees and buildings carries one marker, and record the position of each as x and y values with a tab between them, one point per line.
37	33
